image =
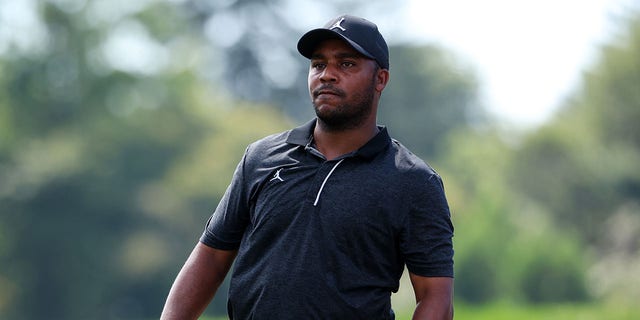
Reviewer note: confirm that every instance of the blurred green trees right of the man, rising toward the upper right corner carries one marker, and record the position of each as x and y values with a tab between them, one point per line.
549	217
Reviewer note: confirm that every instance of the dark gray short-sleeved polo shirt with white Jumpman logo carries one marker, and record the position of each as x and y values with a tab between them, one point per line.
322	239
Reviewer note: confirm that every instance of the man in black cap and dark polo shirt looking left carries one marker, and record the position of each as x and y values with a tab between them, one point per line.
322	219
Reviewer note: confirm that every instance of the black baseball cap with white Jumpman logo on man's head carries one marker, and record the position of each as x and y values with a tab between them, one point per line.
361	34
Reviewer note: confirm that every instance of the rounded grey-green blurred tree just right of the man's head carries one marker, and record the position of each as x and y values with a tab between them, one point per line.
430	93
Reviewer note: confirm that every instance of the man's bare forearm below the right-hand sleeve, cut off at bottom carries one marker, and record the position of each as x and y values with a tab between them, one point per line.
434	297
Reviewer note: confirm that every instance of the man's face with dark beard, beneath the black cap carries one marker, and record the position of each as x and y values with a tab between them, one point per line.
341	84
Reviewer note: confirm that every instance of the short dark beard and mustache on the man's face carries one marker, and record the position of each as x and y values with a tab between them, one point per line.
349	115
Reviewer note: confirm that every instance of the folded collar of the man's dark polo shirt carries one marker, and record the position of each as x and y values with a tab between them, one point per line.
301	136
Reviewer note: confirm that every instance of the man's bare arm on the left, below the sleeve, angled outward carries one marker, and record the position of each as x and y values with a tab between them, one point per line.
197	282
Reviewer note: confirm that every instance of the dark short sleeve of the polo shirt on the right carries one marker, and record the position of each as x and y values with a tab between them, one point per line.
427	242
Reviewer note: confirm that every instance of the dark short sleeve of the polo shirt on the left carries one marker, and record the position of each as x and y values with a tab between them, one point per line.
225	228
